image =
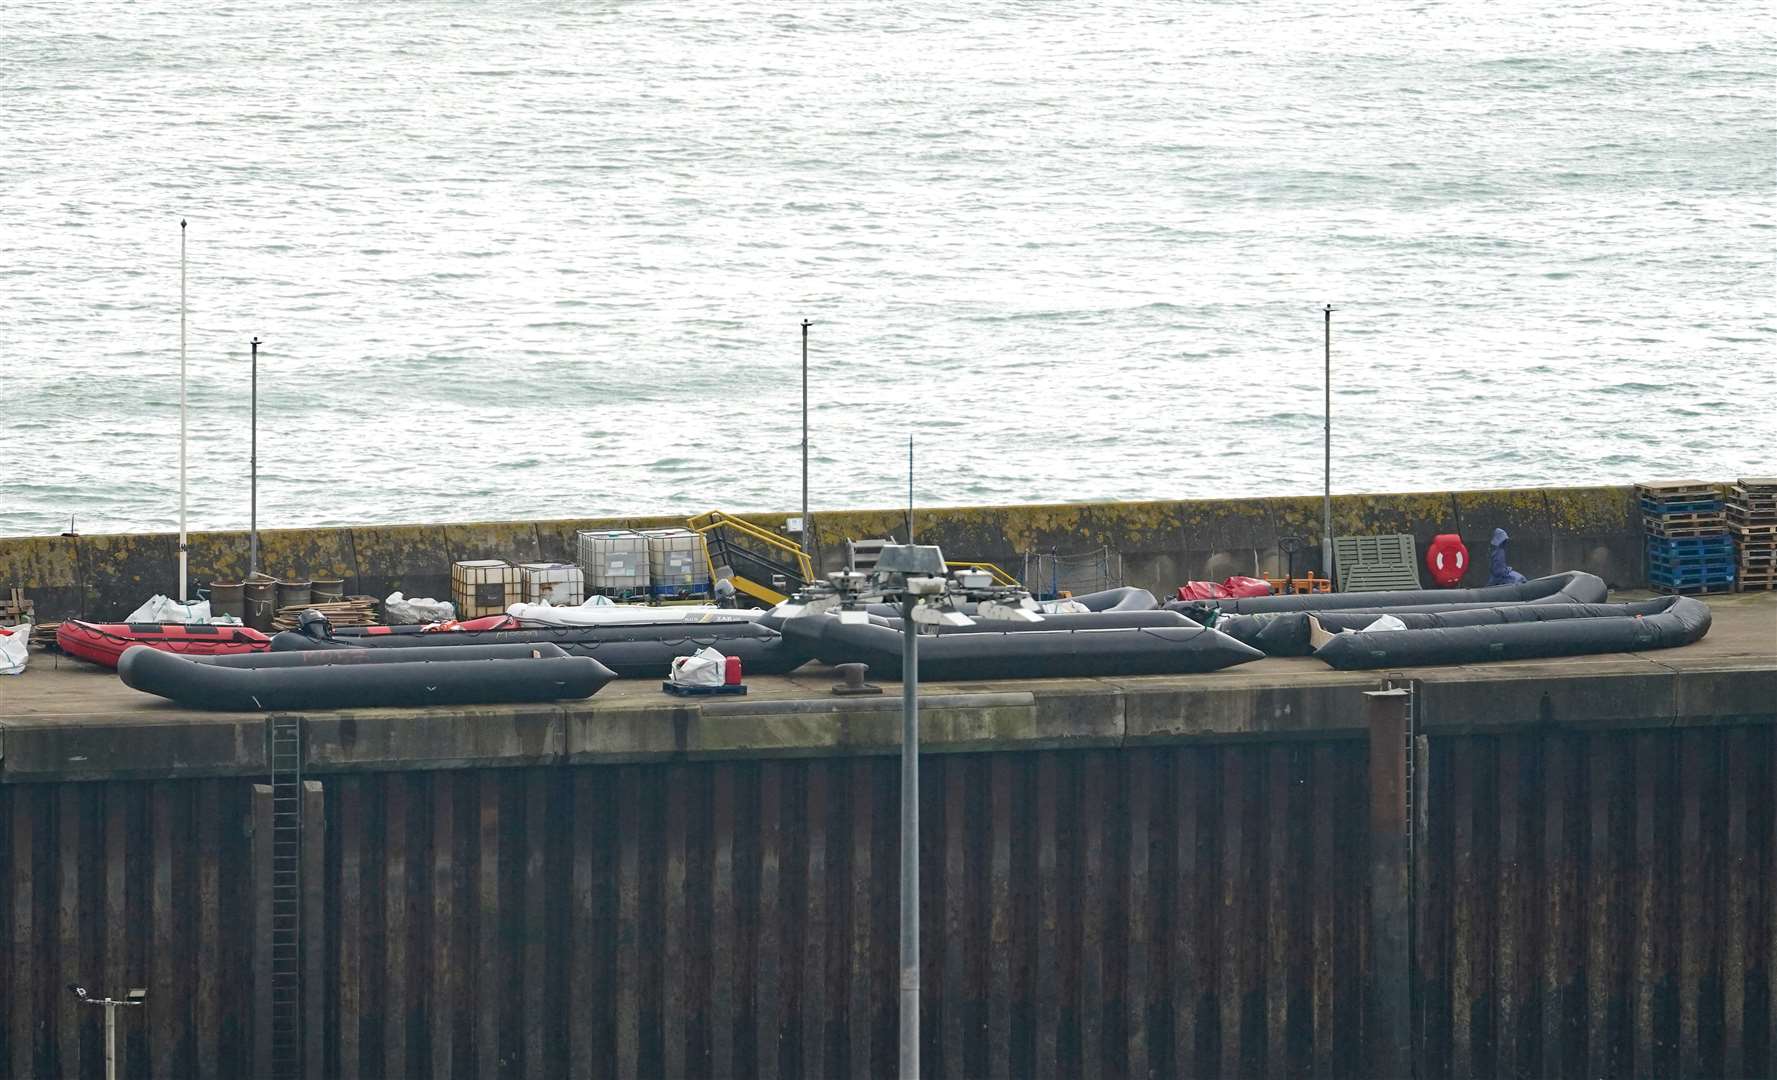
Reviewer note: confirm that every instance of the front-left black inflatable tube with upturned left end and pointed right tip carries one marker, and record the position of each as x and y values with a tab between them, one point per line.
346	681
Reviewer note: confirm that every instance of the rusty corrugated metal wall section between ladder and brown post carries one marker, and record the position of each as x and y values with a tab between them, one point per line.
1186	912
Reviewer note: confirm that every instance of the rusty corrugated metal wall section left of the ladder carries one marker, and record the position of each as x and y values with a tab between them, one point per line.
120	885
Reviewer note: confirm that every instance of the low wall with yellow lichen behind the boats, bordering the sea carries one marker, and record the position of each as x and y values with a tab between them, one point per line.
1161	544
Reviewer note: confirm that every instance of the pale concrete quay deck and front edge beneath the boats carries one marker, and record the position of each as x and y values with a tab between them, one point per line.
68	720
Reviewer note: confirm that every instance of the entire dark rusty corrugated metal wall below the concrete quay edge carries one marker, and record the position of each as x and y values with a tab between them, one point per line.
1591	880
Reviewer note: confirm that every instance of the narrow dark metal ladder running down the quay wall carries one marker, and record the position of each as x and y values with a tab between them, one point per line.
283	736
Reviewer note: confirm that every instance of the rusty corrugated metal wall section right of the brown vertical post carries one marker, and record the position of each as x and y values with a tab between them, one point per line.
1600	905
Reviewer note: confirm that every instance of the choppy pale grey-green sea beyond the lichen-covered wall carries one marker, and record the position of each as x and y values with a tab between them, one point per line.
525	260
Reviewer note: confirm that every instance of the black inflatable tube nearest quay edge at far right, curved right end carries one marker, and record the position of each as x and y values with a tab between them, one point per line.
1510	633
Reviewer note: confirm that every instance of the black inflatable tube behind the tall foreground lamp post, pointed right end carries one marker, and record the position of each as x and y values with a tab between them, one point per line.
1053	655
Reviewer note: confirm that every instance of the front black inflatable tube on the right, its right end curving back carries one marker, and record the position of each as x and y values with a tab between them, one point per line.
1682	623
